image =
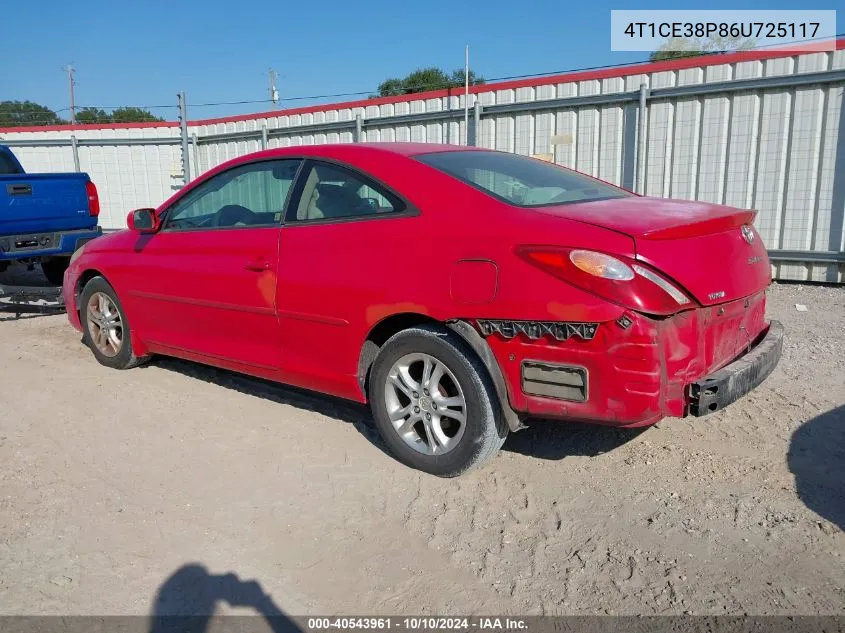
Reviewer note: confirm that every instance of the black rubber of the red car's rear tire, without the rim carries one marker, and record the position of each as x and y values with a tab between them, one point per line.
485	428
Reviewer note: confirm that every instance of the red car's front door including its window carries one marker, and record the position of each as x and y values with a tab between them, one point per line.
206	284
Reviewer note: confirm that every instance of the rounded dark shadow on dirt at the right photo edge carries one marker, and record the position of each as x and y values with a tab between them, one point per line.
817	459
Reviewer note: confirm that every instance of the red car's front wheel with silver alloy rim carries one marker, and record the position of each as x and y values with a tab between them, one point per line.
105	328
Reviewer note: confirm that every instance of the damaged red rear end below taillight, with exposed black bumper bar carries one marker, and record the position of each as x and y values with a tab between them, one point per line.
636	370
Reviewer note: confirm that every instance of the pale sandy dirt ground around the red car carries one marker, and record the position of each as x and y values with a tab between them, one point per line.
174	487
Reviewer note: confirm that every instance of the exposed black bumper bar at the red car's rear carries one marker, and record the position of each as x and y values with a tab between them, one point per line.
733	381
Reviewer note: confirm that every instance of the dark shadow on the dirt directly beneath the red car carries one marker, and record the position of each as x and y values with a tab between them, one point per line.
542	439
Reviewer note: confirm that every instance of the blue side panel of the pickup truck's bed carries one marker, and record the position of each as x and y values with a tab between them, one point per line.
30	203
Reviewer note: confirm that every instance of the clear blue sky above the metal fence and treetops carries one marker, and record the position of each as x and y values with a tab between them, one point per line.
142	53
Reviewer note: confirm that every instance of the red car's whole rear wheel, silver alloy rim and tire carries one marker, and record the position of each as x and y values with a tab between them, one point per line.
434	403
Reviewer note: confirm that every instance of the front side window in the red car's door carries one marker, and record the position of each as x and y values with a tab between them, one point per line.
250	195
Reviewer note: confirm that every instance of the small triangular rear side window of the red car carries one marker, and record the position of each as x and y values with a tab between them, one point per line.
332	192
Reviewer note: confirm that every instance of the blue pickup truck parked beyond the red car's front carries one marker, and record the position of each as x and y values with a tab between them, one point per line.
44	218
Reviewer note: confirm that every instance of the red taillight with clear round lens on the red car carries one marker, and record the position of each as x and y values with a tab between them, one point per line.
610	277
